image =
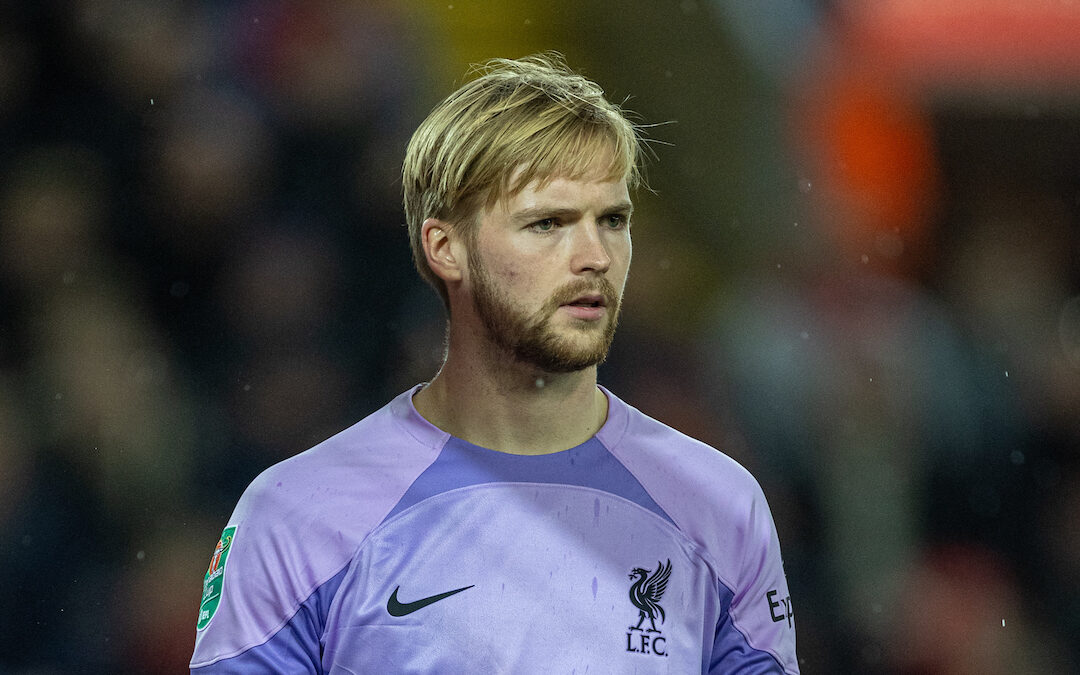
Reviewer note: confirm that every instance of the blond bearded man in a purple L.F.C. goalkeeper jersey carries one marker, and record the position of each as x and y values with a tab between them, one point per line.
510	517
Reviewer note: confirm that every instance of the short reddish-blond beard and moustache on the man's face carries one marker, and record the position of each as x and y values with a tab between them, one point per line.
533	340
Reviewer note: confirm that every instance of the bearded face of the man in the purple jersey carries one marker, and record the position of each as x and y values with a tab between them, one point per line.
548	268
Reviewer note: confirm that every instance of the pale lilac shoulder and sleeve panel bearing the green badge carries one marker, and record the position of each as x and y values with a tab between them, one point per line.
299	524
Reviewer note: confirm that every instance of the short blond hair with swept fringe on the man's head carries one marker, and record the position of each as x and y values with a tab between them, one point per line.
533	116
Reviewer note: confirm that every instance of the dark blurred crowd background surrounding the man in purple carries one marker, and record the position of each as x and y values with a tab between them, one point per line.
857	273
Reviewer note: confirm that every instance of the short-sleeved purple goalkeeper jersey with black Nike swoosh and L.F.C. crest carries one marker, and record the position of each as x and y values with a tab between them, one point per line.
397	548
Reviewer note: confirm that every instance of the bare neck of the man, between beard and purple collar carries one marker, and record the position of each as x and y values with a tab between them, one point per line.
505	406
